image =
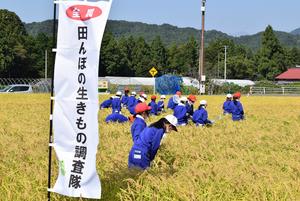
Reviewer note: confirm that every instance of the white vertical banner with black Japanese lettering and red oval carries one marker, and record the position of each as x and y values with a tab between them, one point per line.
81	26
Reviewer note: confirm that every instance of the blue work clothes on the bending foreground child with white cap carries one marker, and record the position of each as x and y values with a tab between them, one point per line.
145	148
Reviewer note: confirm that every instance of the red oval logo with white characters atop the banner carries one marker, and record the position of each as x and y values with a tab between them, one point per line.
83	12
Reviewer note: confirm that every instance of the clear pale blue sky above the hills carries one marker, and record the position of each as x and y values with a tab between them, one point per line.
234	17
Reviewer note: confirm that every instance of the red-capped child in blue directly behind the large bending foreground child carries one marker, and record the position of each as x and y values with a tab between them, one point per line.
141	113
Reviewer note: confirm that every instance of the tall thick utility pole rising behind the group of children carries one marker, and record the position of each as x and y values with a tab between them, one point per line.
201	52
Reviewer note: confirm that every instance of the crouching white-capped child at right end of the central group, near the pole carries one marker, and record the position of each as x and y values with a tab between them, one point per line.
200	117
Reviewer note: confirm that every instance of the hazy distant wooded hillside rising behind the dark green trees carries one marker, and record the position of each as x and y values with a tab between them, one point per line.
172	34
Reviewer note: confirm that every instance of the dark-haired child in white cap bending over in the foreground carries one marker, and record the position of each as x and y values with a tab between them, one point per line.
146	146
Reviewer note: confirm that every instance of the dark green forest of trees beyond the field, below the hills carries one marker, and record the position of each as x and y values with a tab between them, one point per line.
22	52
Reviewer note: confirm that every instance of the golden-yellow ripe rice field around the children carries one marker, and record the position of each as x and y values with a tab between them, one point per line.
256	159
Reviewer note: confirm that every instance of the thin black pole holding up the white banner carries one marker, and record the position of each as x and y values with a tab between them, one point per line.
51	103
